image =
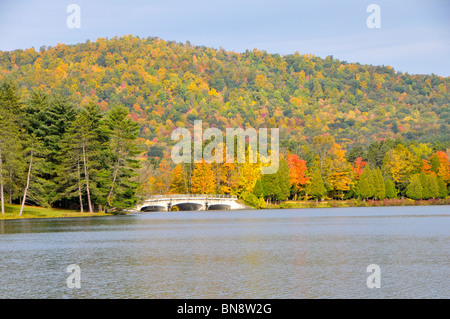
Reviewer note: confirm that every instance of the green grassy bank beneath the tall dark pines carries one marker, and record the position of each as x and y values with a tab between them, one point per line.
12	212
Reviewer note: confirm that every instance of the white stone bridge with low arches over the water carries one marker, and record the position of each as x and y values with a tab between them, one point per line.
181	202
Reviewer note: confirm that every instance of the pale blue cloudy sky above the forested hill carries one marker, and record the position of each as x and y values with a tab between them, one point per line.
414	35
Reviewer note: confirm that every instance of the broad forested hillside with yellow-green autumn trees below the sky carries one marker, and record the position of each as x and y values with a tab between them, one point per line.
166	85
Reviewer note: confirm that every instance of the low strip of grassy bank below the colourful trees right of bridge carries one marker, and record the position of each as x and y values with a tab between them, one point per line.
360	203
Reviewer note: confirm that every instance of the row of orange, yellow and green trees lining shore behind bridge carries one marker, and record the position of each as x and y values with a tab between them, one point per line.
322	170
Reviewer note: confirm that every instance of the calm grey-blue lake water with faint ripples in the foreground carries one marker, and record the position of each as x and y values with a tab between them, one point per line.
307	253
